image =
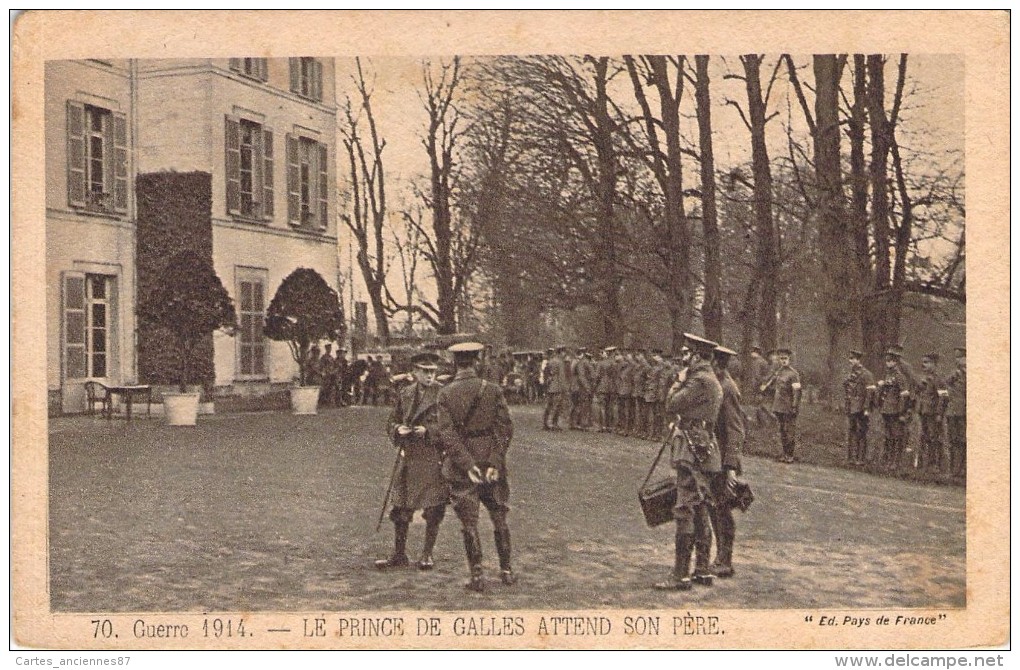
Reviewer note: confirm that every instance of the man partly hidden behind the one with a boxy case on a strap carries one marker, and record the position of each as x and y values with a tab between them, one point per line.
731	430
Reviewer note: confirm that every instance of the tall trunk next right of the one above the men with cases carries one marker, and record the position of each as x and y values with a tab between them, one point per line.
769	233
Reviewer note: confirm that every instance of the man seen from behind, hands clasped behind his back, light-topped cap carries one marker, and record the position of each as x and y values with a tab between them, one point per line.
475	429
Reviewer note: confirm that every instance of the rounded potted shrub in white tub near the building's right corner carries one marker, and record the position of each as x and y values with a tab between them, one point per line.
304	312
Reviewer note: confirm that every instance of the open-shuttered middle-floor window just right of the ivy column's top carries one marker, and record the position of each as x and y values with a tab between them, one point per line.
249	170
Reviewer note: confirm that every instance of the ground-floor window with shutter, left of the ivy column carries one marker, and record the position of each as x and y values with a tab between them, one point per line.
88	314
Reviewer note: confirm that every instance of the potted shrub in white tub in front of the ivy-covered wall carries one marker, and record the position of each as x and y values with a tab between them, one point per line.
191	305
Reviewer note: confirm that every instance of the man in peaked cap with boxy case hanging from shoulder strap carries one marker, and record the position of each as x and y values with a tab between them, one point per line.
695	456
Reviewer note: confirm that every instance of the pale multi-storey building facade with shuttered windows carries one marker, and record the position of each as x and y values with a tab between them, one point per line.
265	129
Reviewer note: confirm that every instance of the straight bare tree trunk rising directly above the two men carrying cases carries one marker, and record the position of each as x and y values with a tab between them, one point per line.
712	308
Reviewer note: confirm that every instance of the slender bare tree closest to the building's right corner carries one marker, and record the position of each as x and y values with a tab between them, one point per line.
368	203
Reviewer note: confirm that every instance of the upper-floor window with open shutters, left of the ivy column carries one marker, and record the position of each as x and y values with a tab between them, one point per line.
97	159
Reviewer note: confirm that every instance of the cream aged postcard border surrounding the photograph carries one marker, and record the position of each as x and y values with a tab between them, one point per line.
983	38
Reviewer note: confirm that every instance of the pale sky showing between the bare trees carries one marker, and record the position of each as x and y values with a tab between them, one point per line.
932	121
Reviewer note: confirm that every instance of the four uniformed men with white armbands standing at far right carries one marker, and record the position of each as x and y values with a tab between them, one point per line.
939	402
